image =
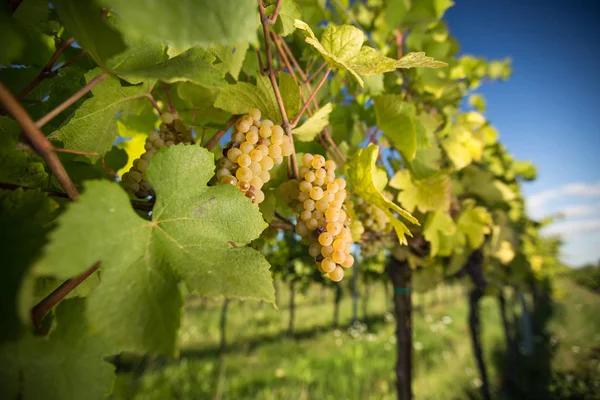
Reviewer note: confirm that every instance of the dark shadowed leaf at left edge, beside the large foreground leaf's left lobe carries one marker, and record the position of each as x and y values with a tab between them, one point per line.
24	218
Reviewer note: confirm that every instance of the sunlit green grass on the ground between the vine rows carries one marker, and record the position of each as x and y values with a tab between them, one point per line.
347	363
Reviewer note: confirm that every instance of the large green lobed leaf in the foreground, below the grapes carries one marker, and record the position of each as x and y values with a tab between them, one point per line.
193	237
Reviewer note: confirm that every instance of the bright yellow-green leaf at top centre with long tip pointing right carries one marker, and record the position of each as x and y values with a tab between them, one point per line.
342	47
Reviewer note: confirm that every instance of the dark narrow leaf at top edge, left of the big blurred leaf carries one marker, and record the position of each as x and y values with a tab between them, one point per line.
84	20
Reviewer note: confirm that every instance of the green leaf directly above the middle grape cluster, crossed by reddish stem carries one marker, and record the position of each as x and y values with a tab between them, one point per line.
242	97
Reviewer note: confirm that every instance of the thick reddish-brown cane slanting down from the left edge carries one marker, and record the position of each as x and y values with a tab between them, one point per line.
38	140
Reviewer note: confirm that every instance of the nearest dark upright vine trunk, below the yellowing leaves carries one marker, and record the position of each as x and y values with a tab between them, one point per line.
400	274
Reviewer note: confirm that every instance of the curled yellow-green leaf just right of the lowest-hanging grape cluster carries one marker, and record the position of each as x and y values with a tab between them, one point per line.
360	169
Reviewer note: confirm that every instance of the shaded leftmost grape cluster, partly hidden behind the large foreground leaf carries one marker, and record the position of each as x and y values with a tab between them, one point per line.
172	131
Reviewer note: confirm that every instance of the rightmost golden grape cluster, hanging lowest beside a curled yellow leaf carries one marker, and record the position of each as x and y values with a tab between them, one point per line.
318	197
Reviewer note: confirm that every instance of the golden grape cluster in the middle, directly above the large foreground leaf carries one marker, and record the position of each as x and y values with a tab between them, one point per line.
256	147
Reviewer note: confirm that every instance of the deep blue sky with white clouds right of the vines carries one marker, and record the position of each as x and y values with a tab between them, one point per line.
549	111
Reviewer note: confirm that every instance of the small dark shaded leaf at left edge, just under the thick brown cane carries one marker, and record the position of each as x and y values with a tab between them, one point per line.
18	167
